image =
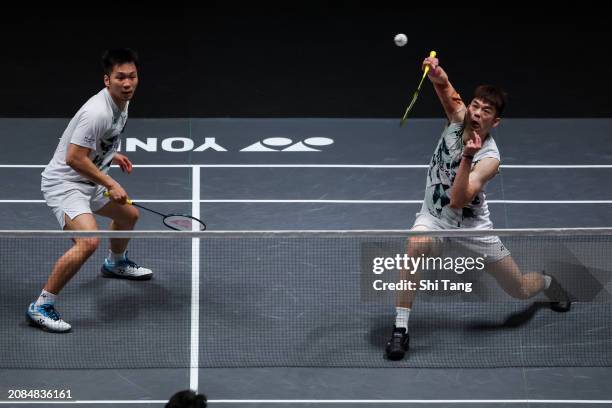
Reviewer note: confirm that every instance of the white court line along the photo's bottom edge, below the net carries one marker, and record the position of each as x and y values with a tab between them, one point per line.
312	401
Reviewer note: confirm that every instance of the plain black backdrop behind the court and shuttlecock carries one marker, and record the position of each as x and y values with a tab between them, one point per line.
286	60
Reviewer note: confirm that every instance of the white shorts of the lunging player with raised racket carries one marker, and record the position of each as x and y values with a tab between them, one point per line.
490	247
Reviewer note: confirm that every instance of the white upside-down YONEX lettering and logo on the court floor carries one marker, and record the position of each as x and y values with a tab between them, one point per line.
184	144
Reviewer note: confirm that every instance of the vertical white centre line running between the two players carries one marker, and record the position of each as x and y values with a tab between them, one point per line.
195	285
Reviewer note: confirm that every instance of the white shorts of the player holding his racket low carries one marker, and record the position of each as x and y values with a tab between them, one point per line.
72	198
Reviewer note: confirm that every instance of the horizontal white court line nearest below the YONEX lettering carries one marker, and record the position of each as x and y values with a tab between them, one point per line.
332	166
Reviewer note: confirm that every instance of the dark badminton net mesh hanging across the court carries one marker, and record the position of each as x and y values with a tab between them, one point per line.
304	299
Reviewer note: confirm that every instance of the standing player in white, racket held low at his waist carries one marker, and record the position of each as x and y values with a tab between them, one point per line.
76	178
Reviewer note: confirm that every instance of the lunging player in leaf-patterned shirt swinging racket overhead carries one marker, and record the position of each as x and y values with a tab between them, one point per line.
465	159
